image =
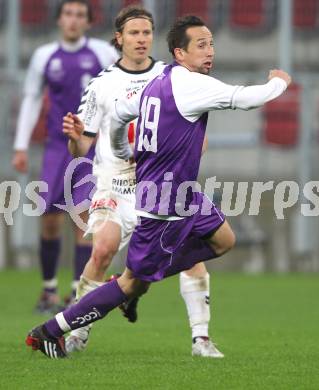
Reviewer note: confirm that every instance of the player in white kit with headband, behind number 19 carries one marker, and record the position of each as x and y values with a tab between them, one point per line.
112	214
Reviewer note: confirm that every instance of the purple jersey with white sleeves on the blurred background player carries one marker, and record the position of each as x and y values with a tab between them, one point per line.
65	69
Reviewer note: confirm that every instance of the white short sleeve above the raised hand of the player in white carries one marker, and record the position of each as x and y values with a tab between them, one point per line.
91	109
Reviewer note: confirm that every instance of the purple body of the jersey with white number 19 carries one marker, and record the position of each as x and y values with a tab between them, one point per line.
168	148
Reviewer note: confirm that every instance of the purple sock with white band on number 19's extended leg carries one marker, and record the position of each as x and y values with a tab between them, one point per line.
92	307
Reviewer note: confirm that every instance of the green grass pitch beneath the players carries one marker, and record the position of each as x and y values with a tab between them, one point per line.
267	326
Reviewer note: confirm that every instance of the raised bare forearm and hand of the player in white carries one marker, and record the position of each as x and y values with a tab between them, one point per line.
73	128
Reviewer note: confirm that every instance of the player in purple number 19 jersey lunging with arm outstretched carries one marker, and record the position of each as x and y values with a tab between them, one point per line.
178	225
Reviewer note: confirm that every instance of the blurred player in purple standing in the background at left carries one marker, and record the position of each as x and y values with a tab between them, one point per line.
65	68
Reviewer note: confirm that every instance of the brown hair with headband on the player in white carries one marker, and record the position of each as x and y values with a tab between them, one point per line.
128	13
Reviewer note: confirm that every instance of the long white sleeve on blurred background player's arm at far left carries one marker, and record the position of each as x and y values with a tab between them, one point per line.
31	103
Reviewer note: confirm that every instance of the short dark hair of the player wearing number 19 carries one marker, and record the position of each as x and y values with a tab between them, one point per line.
177	36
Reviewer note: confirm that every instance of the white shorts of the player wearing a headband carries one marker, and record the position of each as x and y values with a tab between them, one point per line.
114	200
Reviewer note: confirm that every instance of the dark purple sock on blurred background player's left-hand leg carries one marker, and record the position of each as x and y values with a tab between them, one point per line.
49	257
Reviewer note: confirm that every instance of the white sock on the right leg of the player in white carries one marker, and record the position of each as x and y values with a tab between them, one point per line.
195	292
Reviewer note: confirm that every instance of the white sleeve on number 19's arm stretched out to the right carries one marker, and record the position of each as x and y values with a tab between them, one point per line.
203	93
